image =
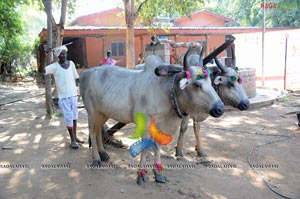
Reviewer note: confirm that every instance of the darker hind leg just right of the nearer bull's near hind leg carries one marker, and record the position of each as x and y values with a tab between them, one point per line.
102	153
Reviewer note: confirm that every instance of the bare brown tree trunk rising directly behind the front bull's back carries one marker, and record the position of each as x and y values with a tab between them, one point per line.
130	16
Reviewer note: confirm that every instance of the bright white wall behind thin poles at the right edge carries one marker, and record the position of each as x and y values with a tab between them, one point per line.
249	52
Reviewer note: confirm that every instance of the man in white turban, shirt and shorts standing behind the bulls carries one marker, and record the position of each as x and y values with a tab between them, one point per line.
65	75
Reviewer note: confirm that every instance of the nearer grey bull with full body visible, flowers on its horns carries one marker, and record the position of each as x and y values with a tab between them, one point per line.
117	93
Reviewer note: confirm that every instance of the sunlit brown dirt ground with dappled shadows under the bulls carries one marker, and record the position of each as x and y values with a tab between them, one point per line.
41	164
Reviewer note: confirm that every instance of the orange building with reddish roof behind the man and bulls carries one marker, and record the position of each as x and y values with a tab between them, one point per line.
93	34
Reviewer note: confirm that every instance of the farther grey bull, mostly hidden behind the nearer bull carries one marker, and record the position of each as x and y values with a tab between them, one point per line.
228	85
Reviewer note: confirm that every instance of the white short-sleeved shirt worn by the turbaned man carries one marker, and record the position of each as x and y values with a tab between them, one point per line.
64	79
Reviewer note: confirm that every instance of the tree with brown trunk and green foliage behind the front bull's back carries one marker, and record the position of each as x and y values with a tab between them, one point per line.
148	10
